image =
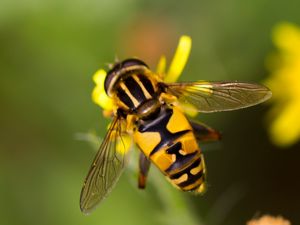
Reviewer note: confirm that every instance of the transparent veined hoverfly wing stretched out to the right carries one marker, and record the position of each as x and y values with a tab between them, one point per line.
219	96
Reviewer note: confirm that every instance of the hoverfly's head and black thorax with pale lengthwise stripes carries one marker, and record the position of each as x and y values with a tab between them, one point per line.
134	87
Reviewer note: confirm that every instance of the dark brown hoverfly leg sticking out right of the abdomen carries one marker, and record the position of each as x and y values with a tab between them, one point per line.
205	133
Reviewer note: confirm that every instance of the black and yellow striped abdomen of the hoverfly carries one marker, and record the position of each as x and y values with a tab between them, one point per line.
169	142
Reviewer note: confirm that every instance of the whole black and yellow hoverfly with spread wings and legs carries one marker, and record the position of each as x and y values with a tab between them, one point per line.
152	112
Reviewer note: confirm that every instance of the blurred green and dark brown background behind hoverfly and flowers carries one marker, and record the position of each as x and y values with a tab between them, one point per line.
48	53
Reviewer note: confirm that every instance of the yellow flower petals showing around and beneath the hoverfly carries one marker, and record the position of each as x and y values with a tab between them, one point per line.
177	65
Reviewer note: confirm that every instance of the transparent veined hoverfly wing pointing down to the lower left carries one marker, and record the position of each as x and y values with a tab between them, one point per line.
105	169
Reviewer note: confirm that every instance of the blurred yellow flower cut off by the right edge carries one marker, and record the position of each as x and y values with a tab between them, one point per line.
285	85
